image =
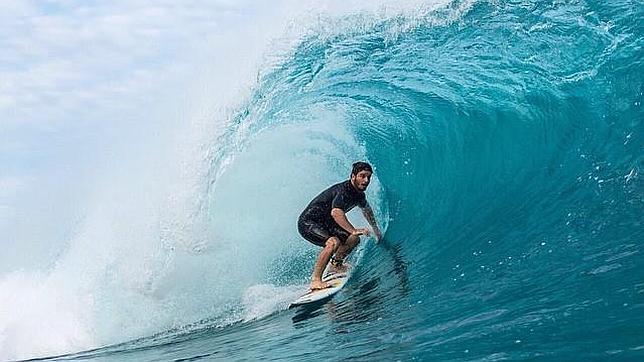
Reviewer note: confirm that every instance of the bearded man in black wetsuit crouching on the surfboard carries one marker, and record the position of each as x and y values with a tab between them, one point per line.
324	223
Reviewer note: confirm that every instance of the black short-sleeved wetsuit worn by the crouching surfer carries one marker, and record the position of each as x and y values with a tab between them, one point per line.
316	223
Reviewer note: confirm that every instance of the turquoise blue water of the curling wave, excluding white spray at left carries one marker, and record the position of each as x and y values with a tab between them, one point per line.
508	145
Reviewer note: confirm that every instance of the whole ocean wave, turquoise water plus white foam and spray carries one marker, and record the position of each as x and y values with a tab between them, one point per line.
507	139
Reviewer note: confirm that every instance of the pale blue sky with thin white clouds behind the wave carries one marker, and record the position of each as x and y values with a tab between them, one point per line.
76	78
